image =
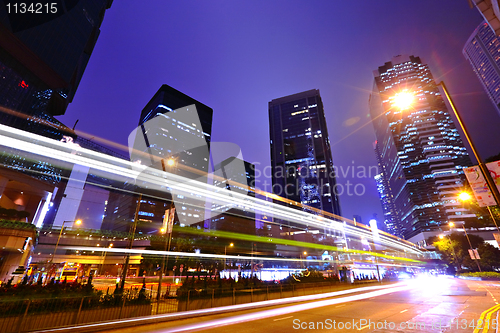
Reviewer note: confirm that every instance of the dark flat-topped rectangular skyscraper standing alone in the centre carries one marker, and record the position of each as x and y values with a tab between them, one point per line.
301	159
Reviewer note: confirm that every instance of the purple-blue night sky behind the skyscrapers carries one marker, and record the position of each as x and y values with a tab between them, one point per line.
236	56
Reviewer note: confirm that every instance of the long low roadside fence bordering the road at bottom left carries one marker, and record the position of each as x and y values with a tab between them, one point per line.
37	314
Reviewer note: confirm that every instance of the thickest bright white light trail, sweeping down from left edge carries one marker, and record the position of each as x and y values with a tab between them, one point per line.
113	168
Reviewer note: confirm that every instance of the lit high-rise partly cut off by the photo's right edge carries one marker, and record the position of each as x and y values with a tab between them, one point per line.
483	52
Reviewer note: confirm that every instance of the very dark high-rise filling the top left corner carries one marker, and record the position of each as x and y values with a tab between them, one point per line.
43	55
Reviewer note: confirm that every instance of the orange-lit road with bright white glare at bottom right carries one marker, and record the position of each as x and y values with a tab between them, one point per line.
423	305
